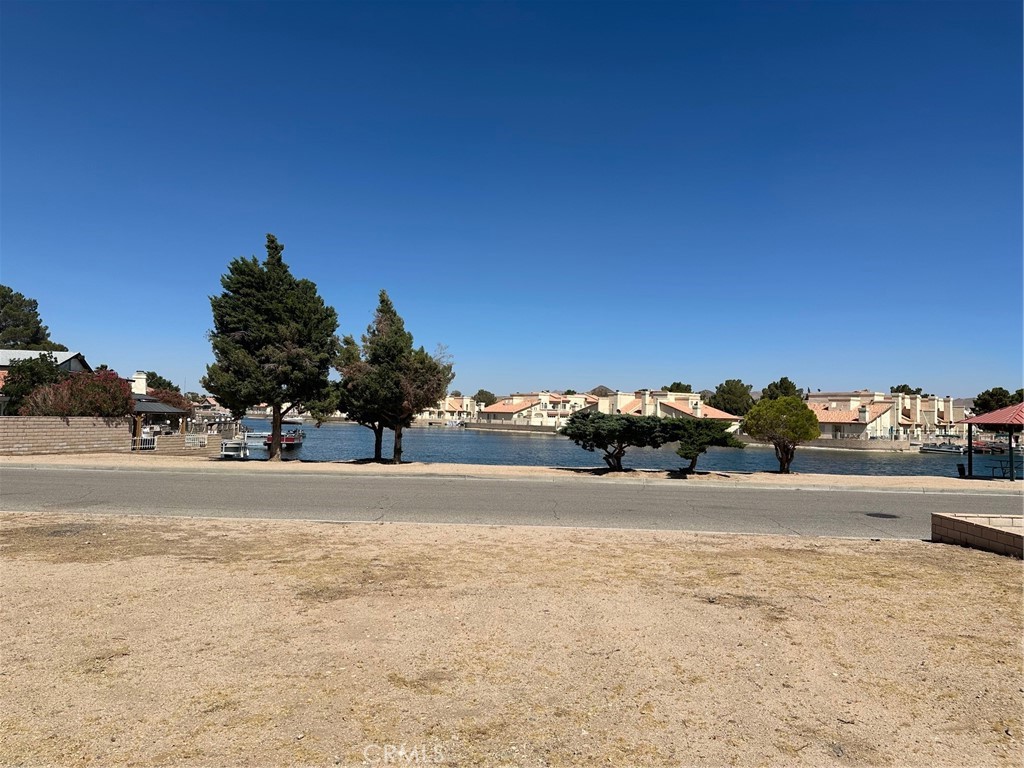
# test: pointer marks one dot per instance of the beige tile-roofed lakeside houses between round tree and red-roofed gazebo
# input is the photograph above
(867, 415)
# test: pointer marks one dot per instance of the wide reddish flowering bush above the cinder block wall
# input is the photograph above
(102, 395)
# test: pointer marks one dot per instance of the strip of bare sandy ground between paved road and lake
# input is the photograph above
(767, 481)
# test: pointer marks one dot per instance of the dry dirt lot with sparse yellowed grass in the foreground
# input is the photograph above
(145, 642)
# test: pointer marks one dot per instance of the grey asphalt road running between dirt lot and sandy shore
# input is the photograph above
(570, 502)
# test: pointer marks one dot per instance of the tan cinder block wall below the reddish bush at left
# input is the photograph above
(45, 435)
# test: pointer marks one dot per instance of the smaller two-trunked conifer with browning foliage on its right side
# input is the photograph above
(388, 382)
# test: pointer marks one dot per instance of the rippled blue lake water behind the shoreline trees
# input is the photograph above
(439, 446)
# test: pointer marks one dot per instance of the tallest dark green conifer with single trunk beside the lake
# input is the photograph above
(274, 340)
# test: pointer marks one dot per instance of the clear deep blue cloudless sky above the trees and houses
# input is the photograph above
(565, 194)
